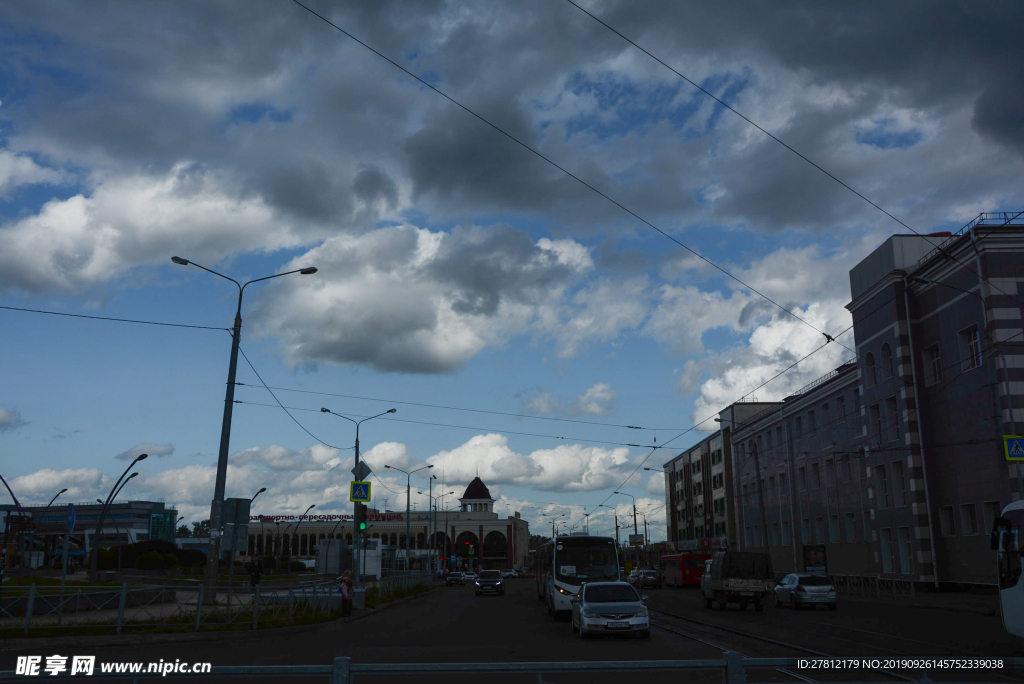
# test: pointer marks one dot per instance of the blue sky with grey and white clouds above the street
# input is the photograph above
(518, 320)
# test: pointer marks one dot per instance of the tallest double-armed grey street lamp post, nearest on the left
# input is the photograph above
(217, 506)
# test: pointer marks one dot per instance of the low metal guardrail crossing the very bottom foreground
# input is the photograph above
(734, 666)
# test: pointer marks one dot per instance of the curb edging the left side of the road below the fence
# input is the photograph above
(27, 644)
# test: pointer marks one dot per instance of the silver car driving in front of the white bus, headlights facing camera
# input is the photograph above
(610, 608)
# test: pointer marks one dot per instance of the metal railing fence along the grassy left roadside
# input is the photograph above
(124, 609)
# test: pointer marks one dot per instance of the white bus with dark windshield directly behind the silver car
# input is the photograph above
(567, 563)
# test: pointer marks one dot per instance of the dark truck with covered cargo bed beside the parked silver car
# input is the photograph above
(738, 577)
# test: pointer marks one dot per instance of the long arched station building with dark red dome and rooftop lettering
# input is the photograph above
(474, 535)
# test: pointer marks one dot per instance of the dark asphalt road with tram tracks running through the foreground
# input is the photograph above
(452, 625)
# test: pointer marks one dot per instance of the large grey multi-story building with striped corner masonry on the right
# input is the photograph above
(893, 464)
